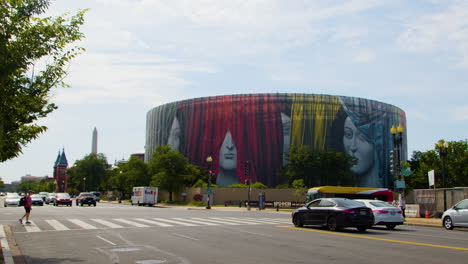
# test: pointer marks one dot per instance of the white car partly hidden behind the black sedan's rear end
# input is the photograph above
(384, 213)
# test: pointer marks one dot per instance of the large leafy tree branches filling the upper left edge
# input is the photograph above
(29, 41)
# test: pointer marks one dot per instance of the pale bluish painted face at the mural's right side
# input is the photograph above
(357, 146)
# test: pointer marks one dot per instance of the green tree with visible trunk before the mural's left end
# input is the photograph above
(168, 169)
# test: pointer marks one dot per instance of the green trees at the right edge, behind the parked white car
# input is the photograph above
(423, 162)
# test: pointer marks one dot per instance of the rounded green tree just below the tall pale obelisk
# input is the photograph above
(88, 174)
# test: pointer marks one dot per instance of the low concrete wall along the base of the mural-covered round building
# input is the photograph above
(222, 195)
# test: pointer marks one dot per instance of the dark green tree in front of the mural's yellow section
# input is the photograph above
(320, 168)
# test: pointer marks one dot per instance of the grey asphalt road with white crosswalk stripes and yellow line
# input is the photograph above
(113, 233)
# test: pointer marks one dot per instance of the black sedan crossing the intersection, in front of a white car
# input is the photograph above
(334, 213)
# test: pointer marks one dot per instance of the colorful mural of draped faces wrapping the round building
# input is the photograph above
(257, 130)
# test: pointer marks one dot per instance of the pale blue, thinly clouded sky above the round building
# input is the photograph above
(144, 53)
